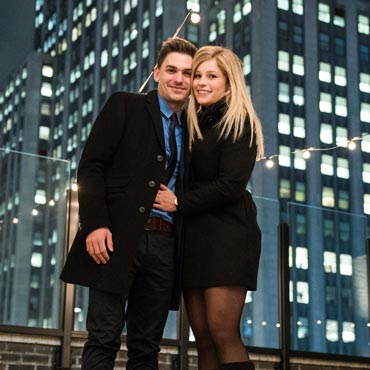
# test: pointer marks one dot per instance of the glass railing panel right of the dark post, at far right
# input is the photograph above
(328, 281)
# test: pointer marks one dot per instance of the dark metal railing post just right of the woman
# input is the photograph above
(284, 304)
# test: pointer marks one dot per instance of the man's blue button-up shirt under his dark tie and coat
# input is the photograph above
(166, 114)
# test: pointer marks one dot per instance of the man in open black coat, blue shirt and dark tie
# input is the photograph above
(125, 251)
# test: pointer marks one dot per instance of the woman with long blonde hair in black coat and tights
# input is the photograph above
(222, 237)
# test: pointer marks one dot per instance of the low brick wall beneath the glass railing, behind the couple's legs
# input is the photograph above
(35, 352)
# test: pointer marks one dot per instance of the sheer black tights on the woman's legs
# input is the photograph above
(214, 316)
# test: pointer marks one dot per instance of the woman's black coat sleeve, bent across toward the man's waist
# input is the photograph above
(237, 160)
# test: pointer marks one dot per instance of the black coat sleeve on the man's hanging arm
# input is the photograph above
(99, 150)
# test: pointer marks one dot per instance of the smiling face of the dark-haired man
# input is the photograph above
(173, 78)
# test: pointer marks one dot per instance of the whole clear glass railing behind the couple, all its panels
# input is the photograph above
(328, 265)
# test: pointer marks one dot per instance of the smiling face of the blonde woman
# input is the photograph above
(209, 84)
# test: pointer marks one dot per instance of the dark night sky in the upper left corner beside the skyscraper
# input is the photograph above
(16, 34)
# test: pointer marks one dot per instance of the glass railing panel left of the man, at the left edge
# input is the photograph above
(33, 206)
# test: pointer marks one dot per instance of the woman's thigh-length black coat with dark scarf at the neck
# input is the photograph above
(222, 237)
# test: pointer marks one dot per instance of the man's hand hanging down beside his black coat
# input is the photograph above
(97, 243)
